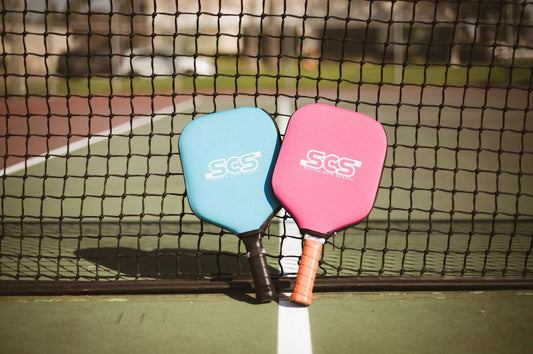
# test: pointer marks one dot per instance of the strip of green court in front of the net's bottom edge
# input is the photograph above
(424, 322)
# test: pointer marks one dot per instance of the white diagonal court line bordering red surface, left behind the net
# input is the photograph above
(101, 136)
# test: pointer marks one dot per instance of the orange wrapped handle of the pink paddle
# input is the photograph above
(305, 280)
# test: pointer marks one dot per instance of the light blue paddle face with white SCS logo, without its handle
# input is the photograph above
(227, 159)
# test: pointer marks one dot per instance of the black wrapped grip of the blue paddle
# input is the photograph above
(264, 287)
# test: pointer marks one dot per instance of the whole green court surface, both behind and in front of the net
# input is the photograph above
(122, 214)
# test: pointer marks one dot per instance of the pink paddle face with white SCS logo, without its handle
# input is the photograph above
(329, 167)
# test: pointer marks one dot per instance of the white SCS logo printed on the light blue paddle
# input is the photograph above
(234, 165)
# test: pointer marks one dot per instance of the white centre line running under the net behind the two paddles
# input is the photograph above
(294, 330)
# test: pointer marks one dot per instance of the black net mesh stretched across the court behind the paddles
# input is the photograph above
(95, 94)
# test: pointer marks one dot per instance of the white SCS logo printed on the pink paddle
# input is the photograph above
(332, 164)
